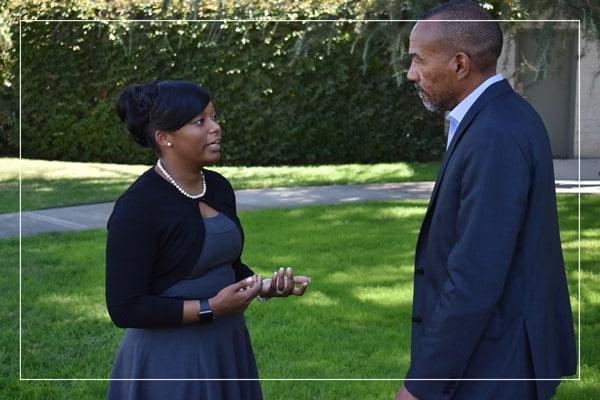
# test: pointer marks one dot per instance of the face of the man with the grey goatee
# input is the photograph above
(431, 68)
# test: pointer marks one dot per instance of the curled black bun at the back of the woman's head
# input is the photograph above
(134, 107)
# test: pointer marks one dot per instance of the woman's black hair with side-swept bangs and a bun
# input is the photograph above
(159, 105)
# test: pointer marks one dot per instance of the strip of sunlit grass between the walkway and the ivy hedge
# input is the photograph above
(49, 184)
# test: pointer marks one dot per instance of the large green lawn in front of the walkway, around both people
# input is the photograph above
(353, 323)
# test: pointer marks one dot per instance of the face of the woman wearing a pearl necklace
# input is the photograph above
(199, 141)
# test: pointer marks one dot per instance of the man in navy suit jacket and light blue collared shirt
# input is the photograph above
(490, 291)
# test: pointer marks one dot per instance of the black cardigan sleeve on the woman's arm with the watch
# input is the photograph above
(130, 252)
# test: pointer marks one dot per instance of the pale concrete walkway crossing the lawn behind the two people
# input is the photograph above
(94, 216)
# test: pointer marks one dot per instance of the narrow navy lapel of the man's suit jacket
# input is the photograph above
(494, 90)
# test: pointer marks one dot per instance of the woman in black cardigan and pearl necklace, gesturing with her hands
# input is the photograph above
(174, 276)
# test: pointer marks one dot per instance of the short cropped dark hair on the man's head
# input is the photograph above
(481, 40)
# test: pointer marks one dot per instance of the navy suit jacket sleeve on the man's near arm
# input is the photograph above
(493, 201)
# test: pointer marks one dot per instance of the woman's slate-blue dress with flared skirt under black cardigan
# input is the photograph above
(198, 361)
